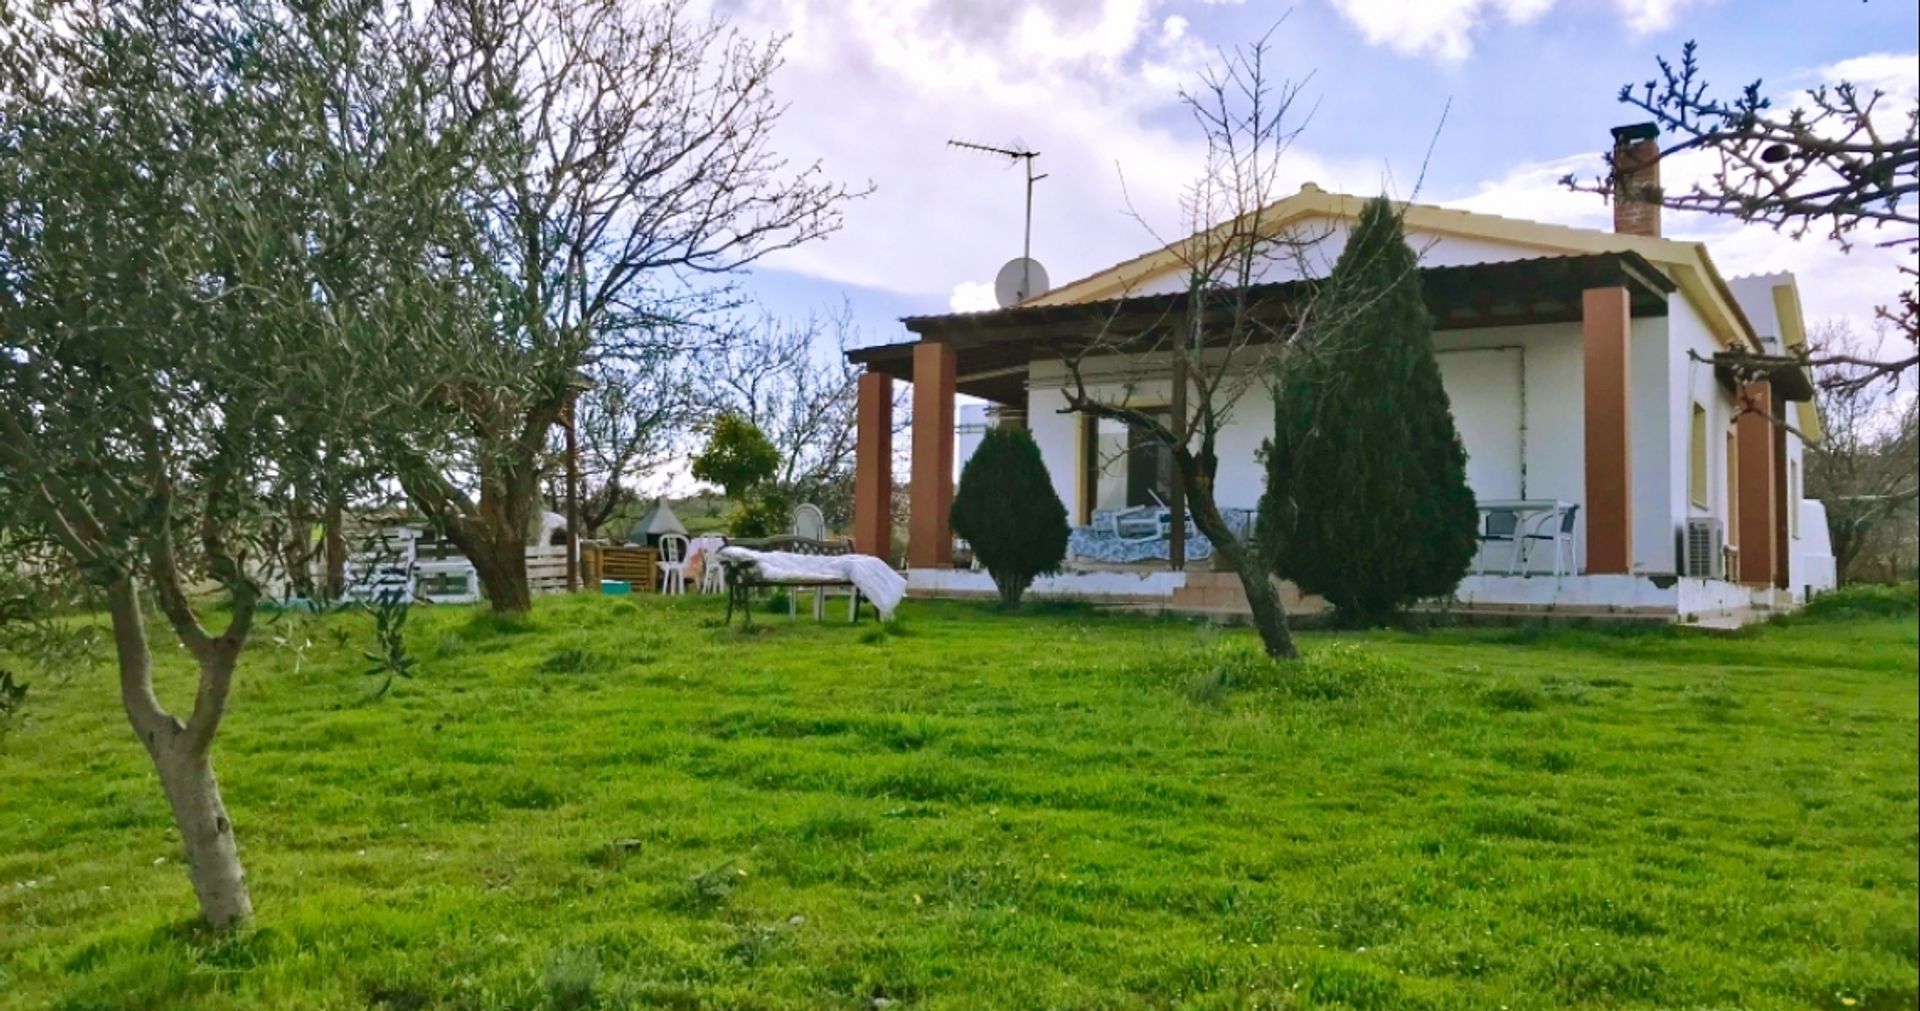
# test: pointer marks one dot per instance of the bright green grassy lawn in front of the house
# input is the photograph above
(621, 805)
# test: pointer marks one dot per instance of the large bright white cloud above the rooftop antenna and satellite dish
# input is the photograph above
(876, 89)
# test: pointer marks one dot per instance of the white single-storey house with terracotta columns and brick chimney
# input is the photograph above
(1616, 379)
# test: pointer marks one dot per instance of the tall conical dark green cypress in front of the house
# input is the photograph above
(1368, 498)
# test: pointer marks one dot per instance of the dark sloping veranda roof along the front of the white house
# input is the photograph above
(996, 348)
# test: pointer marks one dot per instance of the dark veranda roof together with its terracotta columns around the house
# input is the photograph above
(990, 356)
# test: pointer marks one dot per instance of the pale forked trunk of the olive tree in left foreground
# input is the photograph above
(181, 757)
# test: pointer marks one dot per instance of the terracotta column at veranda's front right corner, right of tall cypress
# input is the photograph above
(1606, 331)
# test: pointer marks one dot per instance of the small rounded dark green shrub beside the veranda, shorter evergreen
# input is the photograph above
(1009, 511)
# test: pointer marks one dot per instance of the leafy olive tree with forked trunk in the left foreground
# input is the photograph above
(166, 176)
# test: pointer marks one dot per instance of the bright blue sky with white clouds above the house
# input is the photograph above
(1527, 93)
